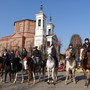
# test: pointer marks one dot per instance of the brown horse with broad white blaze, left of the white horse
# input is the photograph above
(33, 68)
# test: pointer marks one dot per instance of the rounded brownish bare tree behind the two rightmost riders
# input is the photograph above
(76, 41)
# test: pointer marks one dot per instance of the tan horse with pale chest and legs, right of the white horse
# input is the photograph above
(70, 66)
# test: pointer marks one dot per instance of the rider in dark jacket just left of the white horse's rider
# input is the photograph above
(36, 55)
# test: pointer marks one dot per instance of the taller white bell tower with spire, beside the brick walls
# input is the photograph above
(40, 31)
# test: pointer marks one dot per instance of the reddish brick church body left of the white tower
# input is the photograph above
(24, 32)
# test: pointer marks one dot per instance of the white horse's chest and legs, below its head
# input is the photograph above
(50, 64)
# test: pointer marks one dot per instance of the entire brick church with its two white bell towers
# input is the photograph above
(29, 33)
